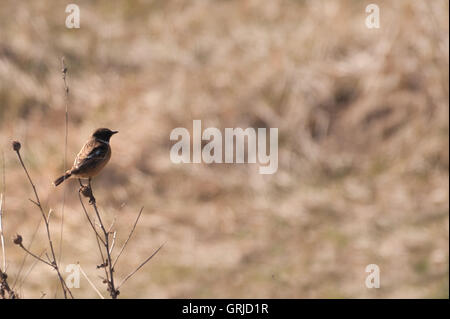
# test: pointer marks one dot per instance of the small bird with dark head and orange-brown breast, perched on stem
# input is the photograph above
(91, 159)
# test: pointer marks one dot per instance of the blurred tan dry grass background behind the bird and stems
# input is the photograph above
(362, 114)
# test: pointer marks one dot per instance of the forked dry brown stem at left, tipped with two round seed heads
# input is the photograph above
(53, 263)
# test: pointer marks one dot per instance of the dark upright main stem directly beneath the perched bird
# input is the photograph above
(87, 191)
